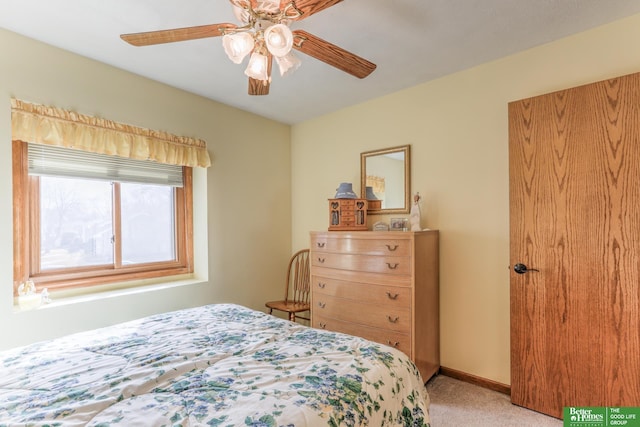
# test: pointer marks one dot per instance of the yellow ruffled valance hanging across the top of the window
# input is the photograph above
(42, 124)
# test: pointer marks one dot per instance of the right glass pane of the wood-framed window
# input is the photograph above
(148, 231)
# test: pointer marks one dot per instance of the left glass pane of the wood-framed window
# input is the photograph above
(75, 223)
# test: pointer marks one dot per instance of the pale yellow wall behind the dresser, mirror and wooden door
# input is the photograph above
(458, 130)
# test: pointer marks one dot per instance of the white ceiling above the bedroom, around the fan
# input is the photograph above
(411, 41)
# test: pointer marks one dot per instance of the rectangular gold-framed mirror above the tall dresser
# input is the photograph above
(388, 173)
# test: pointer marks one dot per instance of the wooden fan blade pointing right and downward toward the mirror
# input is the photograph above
(332, 54)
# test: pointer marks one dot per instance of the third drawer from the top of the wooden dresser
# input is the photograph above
(362, 292)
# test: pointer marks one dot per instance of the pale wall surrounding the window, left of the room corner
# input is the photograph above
(242, 204)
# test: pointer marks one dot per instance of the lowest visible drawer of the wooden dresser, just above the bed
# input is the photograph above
(401, 341)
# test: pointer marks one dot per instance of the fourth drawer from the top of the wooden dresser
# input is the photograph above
(379, 316)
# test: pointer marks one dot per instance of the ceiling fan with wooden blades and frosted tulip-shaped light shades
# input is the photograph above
(265, 34)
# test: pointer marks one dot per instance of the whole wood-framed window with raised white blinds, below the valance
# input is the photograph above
(83, 219)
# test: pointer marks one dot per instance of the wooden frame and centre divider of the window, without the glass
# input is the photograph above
(26, 224)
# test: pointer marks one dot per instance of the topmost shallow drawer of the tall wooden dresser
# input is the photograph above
(390, 246)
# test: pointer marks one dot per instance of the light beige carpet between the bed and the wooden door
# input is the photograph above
(456, 403)
